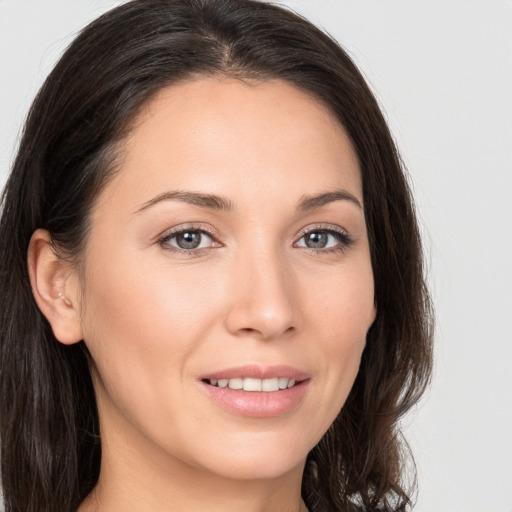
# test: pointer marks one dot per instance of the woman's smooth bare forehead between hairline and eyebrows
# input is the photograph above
(249, 141)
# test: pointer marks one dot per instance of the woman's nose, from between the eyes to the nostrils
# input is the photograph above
(262, 297)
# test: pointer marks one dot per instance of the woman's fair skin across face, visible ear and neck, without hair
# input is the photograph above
(269, 284)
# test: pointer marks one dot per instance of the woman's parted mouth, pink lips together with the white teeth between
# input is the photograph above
(257, 391)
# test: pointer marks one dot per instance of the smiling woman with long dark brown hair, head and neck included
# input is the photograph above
(212, 291)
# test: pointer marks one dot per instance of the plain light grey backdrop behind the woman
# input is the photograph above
(442, 71)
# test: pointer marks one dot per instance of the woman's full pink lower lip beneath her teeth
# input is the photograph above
(258, 404)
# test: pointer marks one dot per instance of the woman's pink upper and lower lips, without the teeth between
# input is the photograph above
(258, 404)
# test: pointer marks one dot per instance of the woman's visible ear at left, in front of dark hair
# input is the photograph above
(55, 287)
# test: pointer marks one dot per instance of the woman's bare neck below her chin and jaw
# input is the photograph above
(139, 476)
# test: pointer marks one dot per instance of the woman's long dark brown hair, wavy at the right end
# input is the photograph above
(50, 439)
